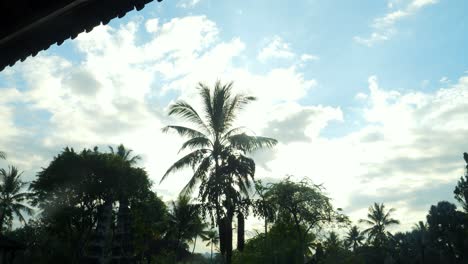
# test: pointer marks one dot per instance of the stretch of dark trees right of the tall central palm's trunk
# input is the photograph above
(441, 239)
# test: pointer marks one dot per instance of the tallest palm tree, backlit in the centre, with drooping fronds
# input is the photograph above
(217, 153)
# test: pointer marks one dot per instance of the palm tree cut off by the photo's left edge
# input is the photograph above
(12, 197)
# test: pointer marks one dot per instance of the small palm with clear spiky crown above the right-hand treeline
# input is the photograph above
(379, 220)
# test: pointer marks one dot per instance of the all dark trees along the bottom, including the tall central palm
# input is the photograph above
(95, 206)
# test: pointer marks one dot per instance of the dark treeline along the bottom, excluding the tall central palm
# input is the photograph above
(300, 223)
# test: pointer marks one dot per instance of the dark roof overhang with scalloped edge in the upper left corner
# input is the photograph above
(29, 26)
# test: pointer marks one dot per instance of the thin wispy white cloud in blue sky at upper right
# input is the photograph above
(384, 27)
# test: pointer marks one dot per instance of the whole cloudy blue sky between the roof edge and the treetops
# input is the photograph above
(368, 99)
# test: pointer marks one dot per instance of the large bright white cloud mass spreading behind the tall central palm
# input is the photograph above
(120, 88)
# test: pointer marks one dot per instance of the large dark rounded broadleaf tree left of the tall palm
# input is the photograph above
(75, 193)
